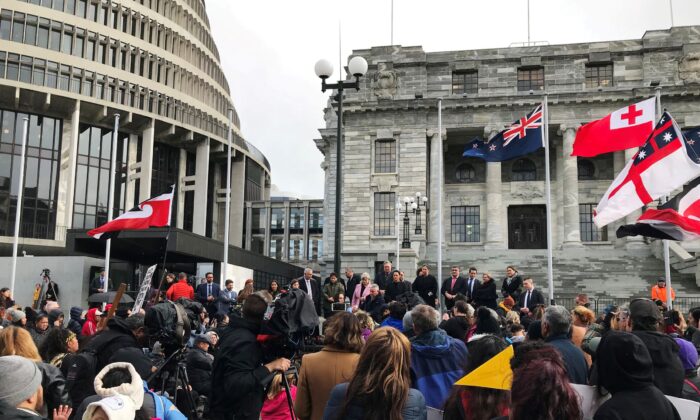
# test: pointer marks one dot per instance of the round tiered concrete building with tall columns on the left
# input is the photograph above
(71, 65)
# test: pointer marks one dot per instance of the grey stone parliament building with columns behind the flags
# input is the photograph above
(494, 213)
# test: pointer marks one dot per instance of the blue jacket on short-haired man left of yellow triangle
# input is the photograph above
(437, 362)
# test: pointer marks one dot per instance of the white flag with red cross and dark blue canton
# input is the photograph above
(664, 163)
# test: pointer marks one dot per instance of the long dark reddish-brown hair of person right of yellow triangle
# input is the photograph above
(541, 389)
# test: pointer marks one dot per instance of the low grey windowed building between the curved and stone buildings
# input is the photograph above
(286, 229)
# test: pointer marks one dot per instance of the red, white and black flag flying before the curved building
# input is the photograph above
(153, 212)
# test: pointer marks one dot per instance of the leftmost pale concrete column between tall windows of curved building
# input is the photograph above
(66, 180)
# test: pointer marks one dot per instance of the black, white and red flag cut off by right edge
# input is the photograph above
(678, 219)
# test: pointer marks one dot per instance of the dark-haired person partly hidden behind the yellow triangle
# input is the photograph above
(484, 403)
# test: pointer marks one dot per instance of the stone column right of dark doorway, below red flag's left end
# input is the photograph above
(572, 227)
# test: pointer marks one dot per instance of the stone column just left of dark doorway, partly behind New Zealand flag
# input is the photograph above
(494, 203)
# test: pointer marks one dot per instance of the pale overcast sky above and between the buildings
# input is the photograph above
(268, 50)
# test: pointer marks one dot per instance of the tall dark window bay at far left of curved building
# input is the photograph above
(41, 174)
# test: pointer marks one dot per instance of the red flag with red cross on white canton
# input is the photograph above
(623, 129)
